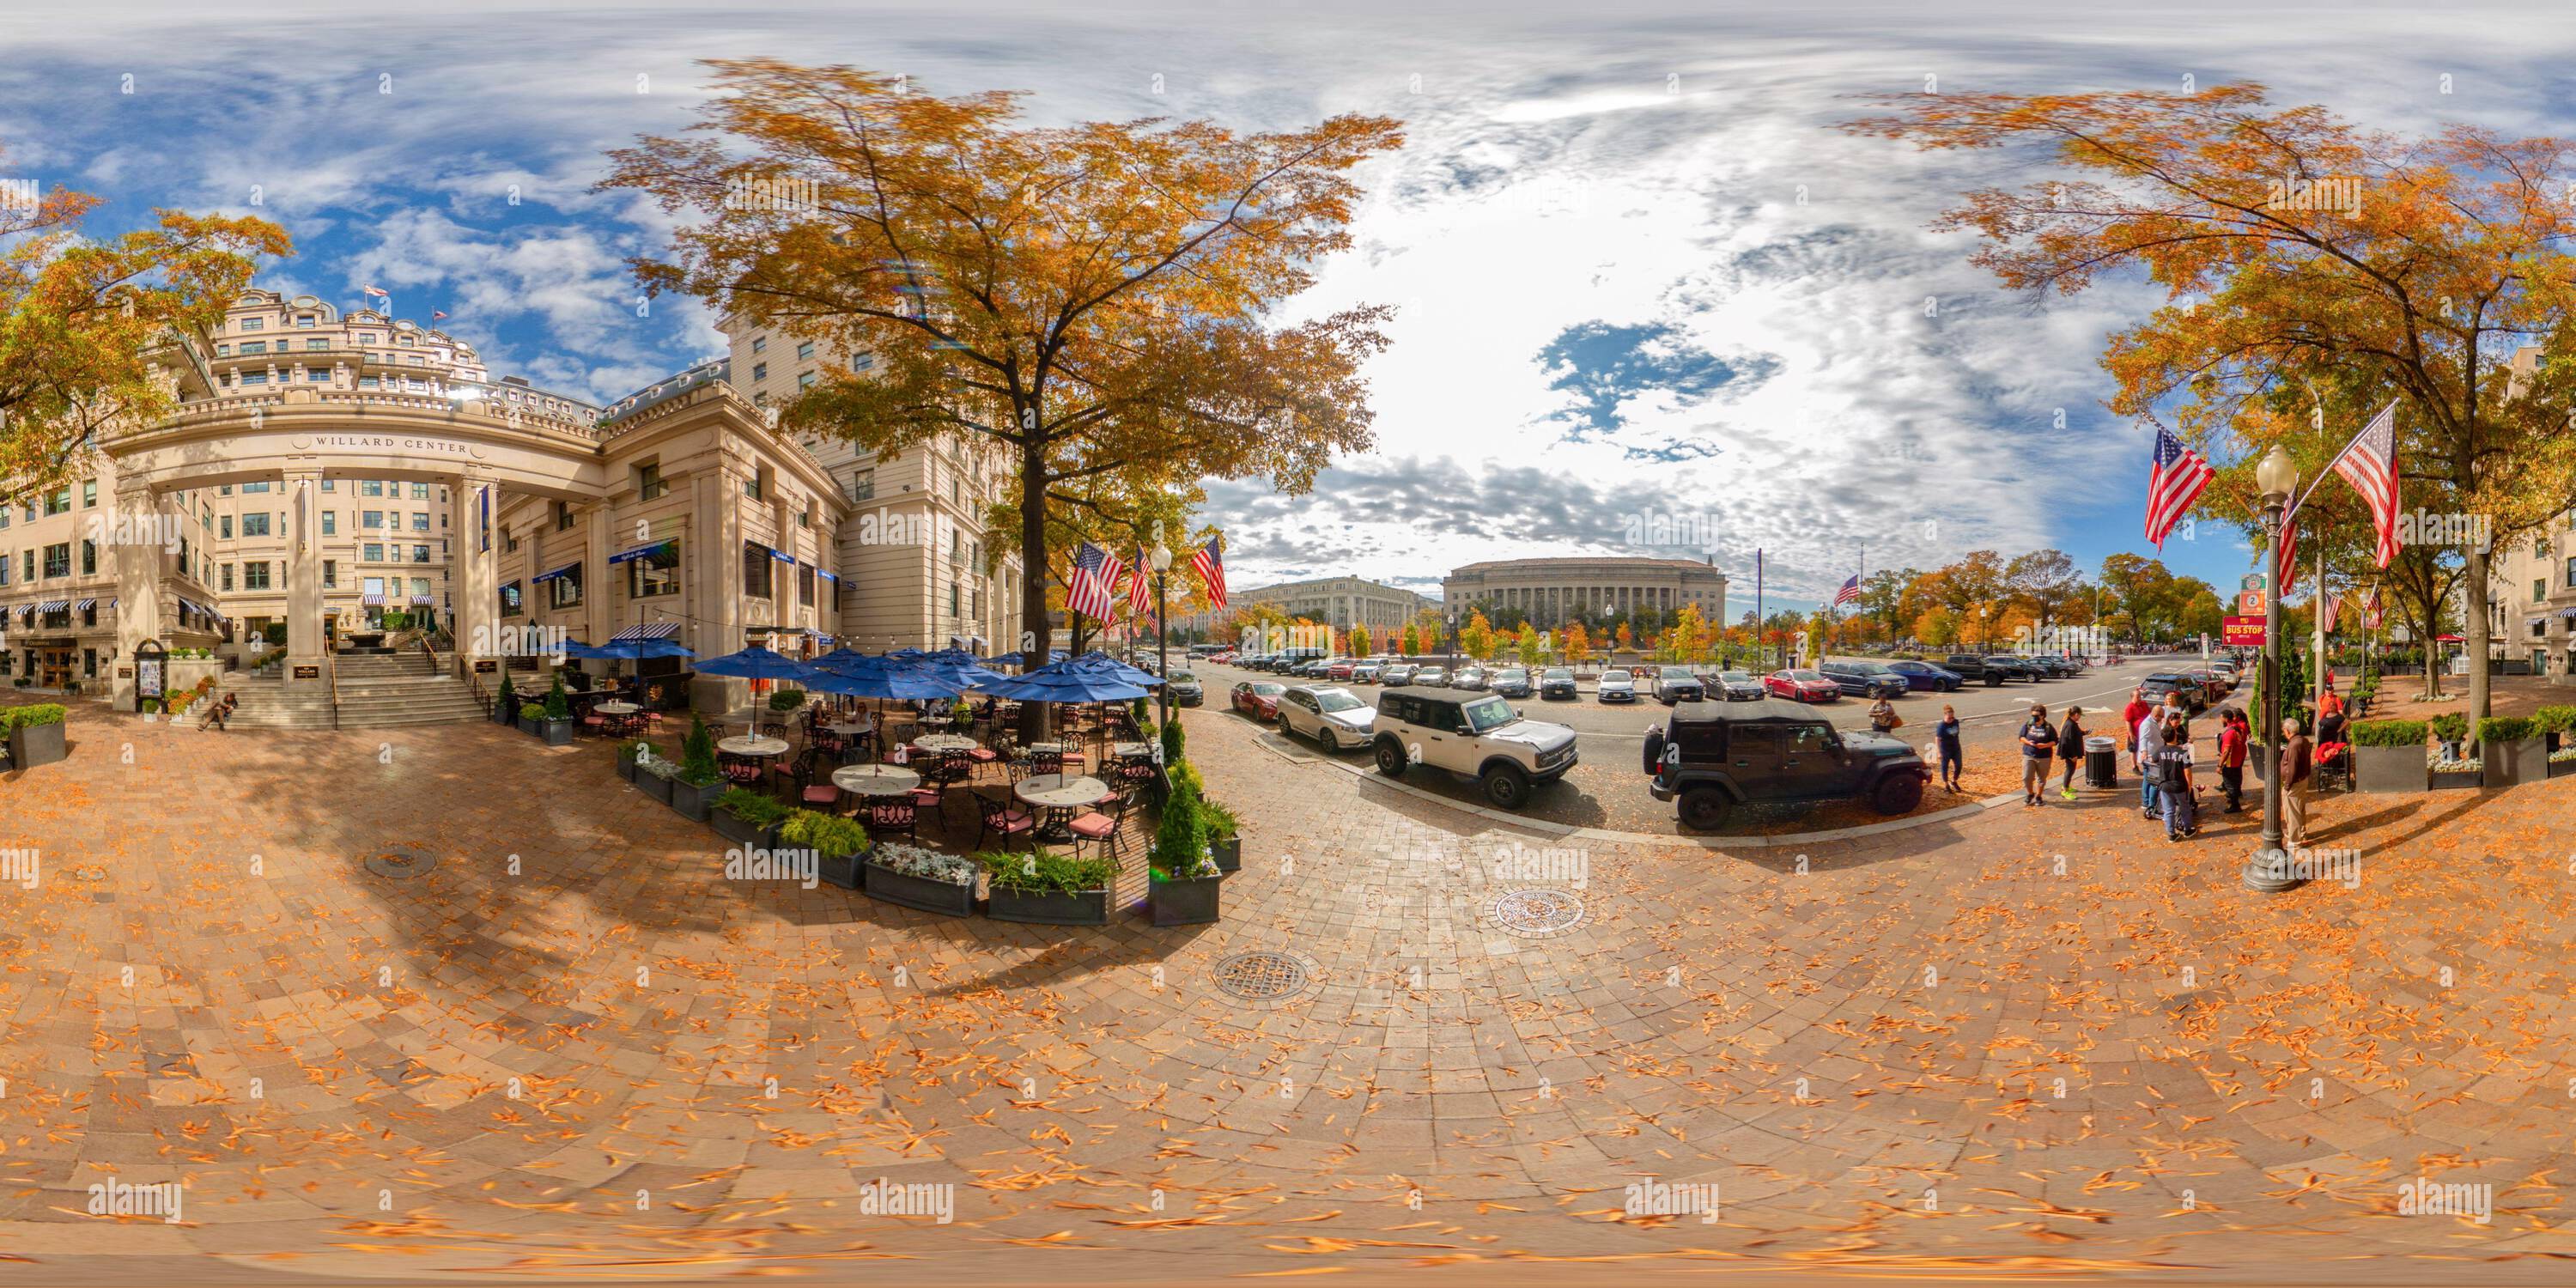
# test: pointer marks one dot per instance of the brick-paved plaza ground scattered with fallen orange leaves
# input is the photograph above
(2041, 1045)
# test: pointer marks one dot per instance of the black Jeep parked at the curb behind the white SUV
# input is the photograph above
(1722, 756)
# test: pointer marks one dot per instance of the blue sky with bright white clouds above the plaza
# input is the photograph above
(1640, 272)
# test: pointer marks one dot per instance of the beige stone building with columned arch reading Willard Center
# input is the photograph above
(326, 470)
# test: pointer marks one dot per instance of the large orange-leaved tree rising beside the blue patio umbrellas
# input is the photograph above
(1096, 298)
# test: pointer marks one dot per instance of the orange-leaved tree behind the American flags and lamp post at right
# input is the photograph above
(2302, 249)
